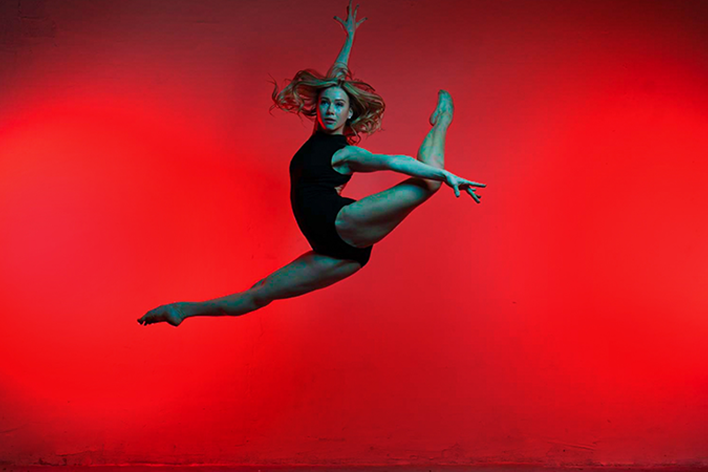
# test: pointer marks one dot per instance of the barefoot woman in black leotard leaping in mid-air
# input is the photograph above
(340, 230)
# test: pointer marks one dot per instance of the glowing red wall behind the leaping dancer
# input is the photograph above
(561, 322)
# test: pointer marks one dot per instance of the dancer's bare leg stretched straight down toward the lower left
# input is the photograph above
(309, 272)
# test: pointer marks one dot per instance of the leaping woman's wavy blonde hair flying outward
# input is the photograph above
(301, 94)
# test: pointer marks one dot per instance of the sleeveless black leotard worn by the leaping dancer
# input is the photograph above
(314, 200)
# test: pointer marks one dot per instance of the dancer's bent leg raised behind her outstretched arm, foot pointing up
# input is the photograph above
(370, 219)
